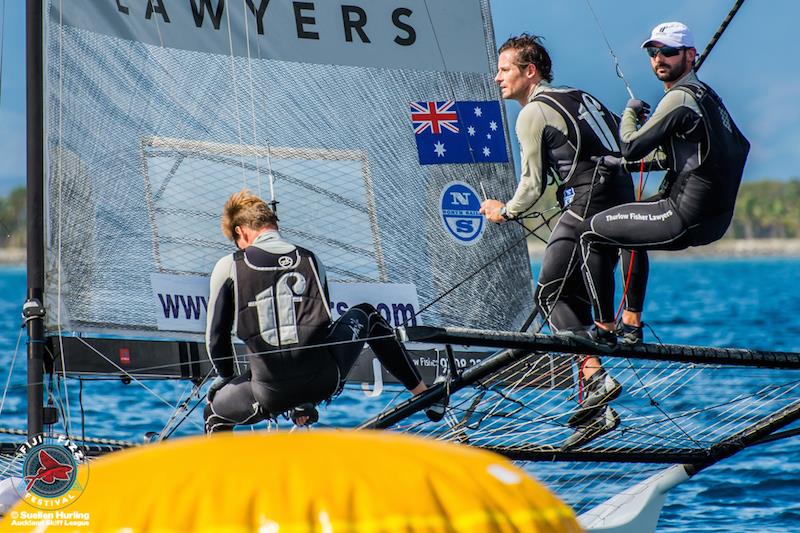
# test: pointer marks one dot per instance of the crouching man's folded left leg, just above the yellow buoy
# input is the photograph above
(234, 404)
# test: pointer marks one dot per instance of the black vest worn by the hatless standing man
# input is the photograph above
(592, 130)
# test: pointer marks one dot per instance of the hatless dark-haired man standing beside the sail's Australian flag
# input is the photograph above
(560, 131)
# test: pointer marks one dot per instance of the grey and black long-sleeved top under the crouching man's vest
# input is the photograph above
(222, 304)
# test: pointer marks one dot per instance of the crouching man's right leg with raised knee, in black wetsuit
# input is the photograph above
(362, 323)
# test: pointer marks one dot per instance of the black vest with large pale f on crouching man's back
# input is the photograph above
(280, 304)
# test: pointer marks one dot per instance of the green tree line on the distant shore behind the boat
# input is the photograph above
(765, 209)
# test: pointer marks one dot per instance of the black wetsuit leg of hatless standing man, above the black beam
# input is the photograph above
(560, 293)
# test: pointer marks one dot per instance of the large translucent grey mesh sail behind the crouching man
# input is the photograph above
(149, 132)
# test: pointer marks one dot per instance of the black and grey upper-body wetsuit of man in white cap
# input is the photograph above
(705, 151)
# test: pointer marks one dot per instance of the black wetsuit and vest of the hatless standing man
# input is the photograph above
(571, 125)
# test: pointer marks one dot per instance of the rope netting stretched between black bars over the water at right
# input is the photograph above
(670, 413)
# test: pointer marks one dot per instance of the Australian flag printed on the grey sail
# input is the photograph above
(459, 132)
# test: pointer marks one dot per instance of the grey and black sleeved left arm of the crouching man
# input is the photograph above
(220, 317)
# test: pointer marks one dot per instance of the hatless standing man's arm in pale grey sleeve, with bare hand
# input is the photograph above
(530, 129)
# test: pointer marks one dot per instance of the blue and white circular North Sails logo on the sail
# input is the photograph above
(459, 205)
